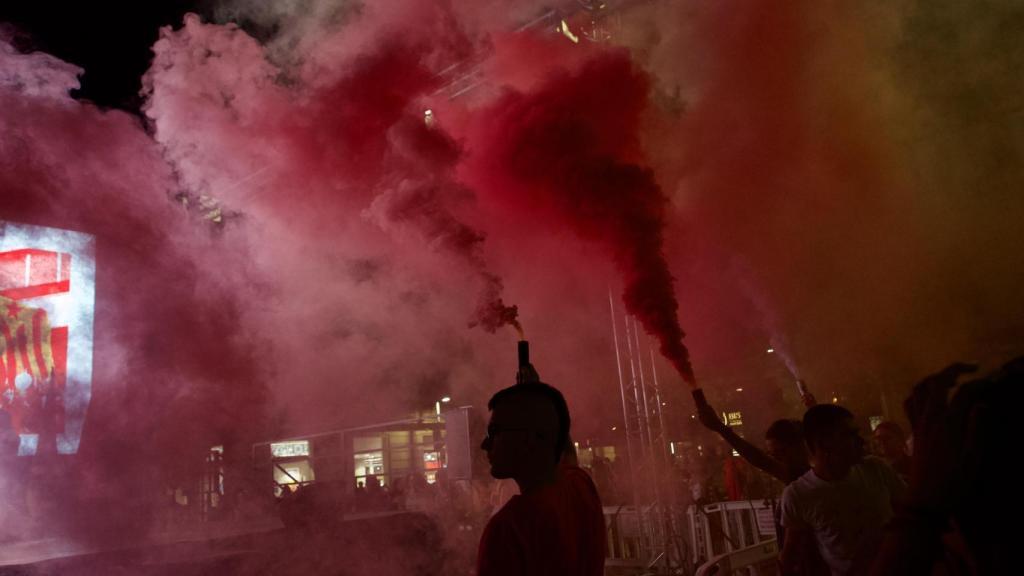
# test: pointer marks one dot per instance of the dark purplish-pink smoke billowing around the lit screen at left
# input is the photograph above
(166, 328)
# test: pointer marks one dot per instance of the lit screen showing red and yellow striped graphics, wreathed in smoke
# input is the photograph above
(48, 300)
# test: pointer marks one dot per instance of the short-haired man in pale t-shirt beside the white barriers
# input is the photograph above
(842, 504)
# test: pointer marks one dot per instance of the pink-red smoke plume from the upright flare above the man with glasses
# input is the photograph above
(350, 140)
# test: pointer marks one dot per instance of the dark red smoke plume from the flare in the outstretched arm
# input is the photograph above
(571, 148)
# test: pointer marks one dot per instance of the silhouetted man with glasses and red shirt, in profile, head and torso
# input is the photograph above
(556, 525)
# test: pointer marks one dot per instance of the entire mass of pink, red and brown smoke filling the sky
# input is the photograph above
(286, 246)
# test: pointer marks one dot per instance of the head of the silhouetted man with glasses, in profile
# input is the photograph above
(528, 434)
